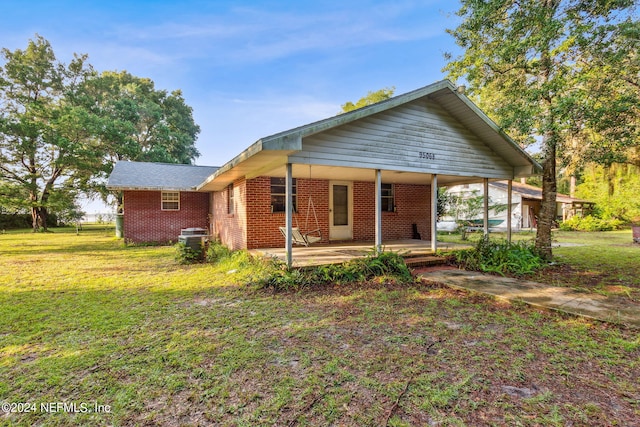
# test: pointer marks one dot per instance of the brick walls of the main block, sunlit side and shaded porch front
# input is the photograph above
(253, 210)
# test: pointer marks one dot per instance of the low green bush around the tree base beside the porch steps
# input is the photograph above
(501, 257)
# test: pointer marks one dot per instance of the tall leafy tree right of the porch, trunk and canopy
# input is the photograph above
(520, 59)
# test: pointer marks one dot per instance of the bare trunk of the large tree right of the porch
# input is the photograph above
(549, 189)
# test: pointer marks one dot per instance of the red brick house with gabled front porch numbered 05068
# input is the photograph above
(363, 175)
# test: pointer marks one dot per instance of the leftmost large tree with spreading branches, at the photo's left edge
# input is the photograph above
(44, 137)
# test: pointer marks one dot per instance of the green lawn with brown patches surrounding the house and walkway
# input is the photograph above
(85, 320)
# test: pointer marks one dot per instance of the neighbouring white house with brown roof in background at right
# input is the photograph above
(525, 203)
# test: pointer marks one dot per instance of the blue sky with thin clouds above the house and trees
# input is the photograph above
(248, 68)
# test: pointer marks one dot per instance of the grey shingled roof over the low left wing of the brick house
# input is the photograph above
(157, 176)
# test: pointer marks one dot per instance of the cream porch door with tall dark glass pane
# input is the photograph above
(340, 210)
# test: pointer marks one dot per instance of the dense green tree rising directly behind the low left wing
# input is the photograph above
(139, 122)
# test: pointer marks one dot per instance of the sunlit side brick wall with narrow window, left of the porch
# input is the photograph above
(230, 228)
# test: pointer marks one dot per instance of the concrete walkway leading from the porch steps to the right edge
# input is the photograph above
(607, 309)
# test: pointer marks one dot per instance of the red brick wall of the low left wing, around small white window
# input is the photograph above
(145, 221)
